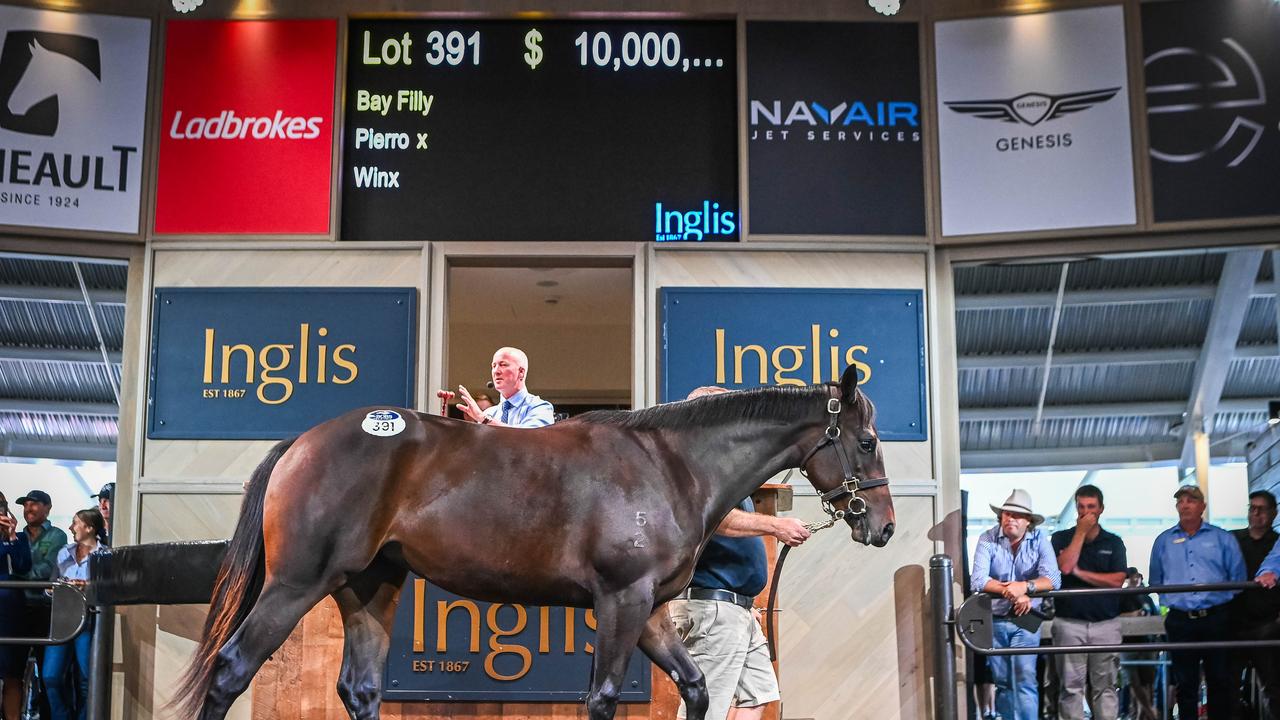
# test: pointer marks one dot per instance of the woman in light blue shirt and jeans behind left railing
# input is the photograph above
(74, 568)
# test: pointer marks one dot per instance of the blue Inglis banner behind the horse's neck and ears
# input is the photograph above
(755, 338)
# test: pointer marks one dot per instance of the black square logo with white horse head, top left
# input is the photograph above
(38, 70)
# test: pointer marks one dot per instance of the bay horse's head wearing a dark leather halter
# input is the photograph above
(847, 466)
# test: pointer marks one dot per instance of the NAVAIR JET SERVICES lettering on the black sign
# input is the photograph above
(857, 121)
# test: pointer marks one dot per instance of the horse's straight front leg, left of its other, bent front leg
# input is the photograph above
(620, 619)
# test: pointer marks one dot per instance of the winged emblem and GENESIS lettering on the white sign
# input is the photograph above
(1032, 110)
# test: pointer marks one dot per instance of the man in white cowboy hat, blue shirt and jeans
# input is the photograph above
(1016, 559)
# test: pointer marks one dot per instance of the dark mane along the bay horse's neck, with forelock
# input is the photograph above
(779, 404)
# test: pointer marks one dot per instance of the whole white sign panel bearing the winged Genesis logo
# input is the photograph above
(1034, 122)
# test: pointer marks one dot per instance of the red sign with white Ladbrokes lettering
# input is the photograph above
(246, 134)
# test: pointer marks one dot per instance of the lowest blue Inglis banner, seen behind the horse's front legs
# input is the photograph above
(449, 648)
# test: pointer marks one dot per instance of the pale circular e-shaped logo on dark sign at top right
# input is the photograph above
(1212, 85)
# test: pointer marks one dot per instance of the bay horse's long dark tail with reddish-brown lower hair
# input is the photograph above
(240, 581)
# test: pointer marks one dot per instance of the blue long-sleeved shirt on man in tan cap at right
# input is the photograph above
(1209, 557)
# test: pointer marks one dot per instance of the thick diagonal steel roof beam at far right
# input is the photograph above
(1231, 304)
